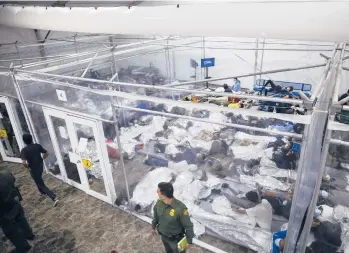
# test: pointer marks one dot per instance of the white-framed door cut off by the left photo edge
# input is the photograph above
(10, 132)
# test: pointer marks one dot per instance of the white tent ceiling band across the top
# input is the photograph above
(299, 20)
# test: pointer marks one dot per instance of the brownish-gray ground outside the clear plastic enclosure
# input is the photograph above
(83, 224)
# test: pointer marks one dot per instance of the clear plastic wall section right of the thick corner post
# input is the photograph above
(330, 227)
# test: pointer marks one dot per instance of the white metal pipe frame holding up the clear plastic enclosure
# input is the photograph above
(314, 143)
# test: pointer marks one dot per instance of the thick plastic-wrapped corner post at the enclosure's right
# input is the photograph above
(309, 176)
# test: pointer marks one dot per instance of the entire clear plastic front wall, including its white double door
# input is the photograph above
(220, 161)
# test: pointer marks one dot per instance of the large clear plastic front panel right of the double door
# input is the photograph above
(215, 168)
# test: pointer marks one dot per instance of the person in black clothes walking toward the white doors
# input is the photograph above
(32, 160)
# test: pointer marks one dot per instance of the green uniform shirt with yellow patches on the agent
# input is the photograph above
(171, 220)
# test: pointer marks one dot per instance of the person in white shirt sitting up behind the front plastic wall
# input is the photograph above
(262, 212)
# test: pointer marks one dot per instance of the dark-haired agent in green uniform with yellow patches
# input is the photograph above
(171, 219)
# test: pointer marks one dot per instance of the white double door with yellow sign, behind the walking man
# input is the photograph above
(80, 148)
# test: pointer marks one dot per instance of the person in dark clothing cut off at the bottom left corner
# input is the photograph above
(12, 219)
